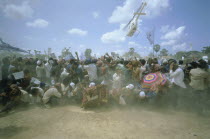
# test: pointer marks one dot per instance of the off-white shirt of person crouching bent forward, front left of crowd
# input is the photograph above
(49, 93)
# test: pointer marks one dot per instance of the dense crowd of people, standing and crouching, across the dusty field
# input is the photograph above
(105, 80)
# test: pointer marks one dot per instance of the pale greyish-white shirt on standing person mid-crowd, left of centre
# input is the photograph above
(92, 71)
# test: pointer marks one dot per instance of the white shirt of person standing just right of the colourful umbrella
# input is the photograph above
(177, 77)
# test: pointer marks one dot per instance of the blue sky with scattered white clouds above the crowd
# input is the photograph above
(97, 24)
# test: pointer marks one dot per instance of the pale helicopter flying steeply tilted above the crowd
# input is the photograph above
(133, 23)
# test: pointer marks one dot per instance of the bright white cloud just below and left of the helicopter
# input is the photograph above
(116, 36)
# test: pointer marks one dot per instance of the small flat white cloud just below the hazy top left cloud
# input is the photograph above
(38, 23)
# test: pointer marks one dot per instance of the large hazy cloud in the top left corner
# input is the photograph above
(18, 11)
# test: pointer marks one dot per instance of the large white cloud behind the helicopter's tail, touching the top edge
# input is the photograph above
(124, 13)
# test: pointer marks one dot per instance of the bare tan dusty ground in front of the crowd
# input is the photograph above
(71, 122)
